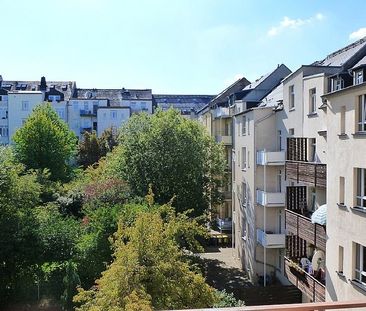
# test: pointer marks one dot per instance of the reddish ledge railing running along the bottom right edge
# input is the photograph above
(313, 306)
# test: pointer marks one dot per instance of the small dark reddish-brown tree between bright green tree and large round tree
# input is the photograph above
(88, 149)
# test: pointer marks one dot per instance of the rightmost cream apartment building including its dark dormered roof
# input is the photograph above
(346, 186)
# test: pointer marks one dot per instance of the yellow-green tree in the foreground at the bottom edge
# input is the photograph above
(148, 271)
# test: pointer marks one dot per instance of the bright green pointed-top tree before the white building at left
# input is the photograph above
(45, 142)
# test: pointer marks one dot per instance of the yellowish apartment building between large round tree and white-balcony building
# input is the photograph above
(217, 119)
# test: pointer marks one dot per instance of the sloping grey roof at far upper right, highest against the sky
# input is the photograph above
(342, 56)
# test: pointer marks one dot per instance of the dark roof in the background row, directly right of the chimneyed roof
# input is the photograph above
(115, 96)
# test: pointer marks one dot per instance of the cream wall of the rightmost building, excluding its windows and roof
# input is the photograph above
(344, 224)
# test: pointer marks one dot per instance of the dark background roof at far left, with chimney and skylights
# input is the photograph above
(65, 87)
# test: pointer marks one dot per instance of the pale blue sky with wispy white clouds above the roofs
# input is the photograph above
(170, 46)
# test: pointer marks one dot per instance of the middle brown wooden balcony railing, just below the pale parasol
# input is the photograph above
(302, 227)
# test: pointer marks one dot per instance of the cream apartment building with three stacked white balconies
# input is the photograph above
(258, 180)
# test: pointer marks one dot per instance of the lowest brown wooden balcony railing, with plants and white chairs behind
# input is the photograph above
(310, 286)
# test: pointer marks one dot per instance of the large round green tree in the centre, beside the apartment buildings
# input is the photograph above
(173, 154)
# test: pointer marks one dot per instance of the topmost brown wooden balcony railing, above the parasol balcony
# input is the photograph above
(313, 174)
